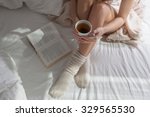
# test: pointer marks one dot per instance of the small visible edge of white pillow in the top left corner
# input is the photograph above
(11, 4)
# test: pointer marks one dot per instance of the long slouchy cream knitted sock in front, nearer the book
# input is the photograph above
(63, 82)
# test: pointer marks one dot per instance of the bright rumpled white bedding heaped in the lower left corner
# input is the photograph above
(10, 82)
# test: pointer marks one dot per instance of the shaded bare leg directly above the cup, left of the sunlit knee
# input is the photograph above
(83, 8)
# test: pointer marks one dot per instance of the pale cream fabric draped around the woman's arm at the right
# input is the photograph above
(130, 32)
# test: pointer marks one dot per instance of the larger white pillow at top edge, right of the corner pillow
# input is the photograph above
(51, 7)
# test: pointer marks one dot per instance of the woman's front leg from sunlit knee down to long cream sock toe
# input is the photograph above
(79, 57)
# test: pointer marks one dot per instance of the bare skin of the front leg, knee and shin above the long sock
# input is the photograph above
(100, 14)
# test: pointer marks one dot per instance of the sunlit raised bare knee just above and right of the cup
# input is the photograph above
(101, 14)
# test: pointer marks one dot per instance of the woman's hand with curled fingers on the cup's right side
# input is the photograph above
(99, 32)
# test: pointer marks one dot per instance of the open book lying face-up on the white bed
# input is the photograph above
(49, 44)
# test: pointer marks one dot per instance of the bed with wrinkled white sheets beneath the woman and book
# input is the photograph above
(117, 71)
